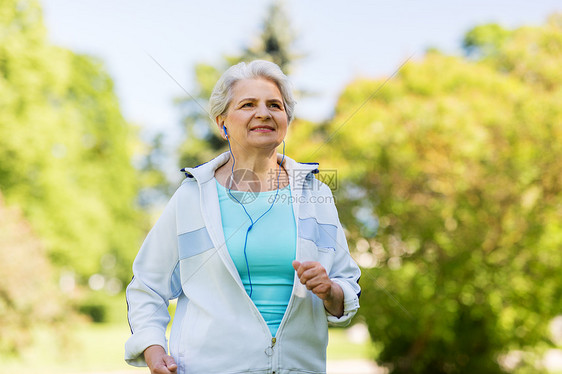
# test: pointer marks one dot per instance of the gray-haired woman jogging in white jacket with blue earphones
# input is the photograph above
(258, 280)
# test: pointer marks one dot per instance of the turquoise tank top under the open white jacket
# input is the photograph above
(270, 249)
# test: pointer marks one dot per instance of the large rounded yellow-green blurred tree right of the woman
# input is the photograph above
(459, 161)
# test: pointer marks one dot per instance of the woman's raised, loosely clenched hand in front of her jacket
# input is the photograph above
(313, 275)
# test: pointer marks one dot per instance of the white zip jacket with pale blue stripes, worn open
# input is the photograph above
(217, 328)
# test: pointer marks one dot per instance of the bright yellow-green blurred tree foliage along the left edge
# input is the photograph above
(65, 149)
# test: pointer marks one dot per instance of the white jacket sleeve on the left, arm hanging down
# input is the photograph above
(155, 281)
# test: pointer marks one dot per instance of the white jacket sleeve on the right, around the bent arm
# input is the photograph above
(346, 274)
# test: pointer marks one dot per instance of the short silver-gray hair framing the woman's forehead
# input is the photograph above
(222, 93)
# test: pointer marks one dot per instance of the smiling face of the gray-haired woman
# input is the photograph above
(256, 117)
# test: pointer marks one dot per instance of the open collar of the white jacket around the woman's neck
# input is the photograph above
(298, 171)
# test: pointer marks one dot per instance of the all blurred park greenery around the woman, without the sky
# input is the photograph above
(449, 178)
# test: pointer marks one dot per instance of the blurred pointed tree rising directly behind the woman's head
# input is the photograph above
(274, 44)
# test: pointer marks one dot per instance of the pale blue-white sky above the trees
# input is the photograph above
(150, 47)
